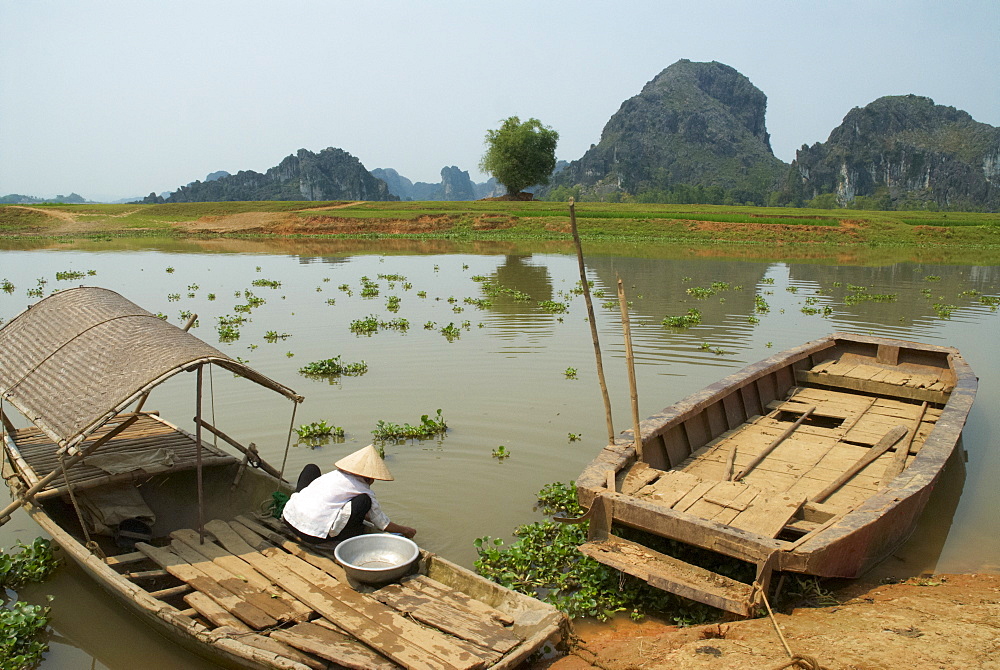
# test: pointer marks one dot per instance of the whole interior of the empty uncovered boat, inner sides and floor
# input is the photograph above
(787, 452)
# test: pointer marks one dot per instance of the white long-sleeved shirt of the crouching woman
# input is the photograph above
(323, 508)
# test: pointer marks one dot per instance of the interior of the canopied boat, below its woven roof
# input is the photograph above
(247, 577)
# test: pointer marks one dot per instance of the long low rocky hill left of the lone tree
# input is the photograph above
(332, 174)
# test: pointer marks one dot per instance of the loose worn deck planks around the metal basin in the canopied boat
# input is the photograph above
(252, 580)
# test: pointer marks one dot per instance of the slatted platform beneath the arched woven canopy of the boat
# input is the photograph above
(151, 443)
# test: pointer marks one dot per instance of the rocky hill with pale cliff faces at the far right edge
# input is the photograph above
(903, 152)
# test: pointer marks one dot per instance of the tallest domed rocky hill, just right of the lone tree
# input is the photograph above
(694, 124)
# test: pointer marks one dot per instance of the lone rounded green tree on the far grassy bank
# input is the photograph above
(519, 154)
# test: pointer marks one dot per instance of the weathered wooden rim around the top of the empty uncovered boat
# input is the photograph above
(919, 475)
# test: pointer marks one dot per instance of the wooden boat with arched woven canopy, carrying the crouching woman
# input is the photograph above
(189, 555)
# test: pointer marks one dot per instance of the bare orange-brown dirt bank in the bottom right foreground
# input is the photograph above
(945, 621)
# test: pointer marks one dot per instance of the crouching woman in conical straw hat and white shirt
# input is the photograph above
(334, 506)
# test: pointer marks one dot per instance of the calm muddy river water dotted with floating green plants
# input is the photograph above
(503, 380)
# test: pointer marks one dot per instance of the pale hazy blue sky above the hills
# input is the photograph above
(117, 99)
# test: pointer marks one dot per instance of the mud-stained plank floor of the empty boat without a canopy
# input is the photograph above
(843, 427)
